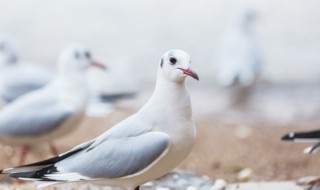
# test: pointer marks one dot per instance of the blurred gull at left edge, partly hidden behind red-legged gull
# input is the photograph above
(16, 77)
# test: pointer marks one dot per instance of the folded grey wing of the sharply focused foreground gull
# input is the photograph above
(114, 158)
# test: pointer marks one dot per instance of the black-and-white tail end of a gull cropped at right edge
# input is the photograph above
(308, 136)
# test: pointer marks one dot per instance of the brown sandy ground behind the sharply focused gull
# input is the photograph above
(218, 152)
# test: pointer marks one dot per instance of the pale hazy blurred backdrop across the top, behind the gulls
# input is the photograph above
(134, 34)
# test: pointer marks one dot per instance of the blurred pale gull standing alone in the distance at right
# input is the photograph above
(238, 58)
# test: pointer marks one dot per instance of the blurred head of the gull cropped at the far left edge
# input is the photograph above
(8, 53)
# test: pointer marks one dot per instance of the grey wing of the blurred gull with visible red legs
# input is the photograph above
(32, 118)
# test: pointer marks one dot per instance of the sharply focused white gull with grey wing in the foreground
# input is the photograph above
(142, 147)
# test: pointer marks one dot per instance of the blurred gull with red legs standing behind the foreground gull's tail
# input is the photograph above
(52, 111)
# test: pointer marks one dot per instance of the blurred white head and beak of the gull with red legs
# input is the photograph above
(77, 58)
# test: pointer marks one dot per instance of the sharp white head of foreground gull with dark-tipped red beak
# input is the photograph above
(175, 66)
